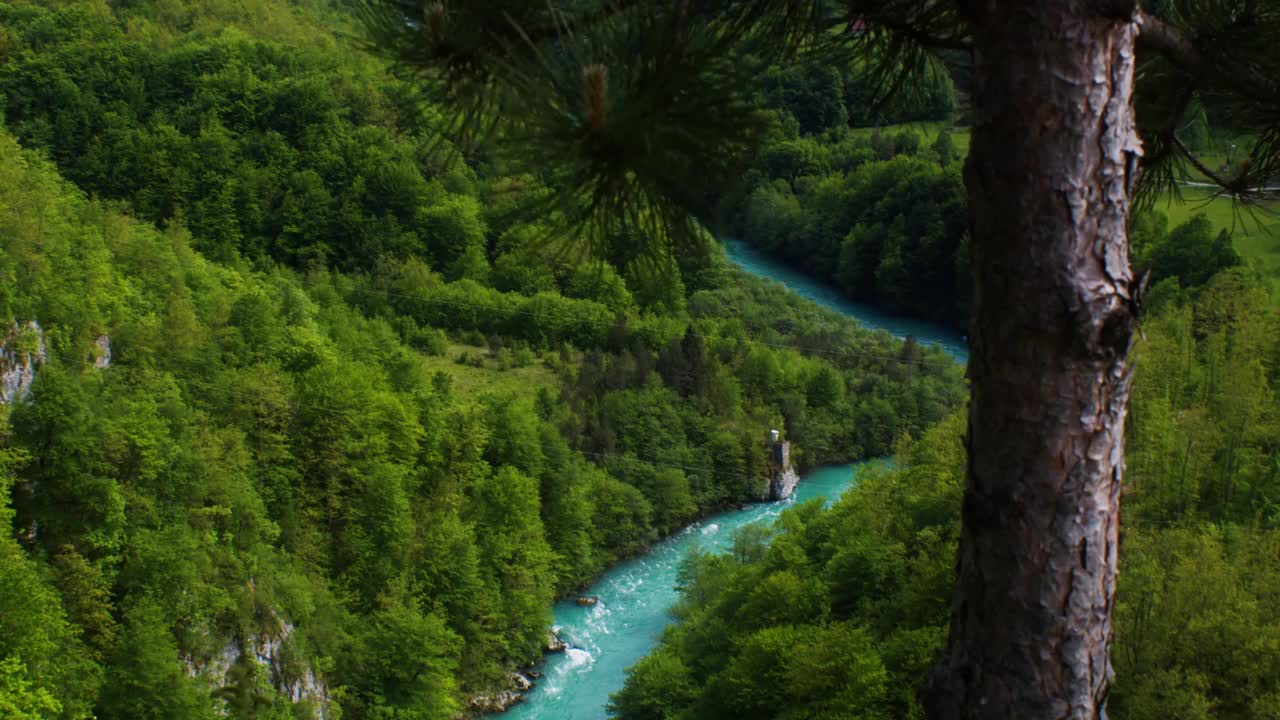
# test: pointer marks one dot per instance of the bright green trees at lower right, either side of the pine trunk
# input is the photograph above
(839, 614)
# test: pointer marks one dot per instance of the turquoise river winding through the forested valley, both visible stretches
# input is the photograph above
(636, 596)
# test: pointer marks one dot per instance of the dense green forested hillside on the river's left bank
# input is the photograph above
(304, 420)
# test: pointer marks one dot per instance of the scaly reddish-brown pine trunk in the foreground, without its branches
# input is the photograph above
(1050, 175)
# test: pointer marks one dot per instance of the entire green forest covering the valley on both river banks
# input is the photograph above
(304, 418)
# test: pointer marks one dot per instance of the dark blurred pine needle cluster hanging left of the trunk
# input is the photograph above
(633, 111)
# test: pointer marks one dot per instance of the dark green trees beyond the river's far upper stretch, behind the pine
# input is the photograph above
(881, 213)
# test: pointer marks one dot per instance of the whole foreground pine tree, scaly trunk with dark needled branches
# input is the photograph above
(638, 108)
